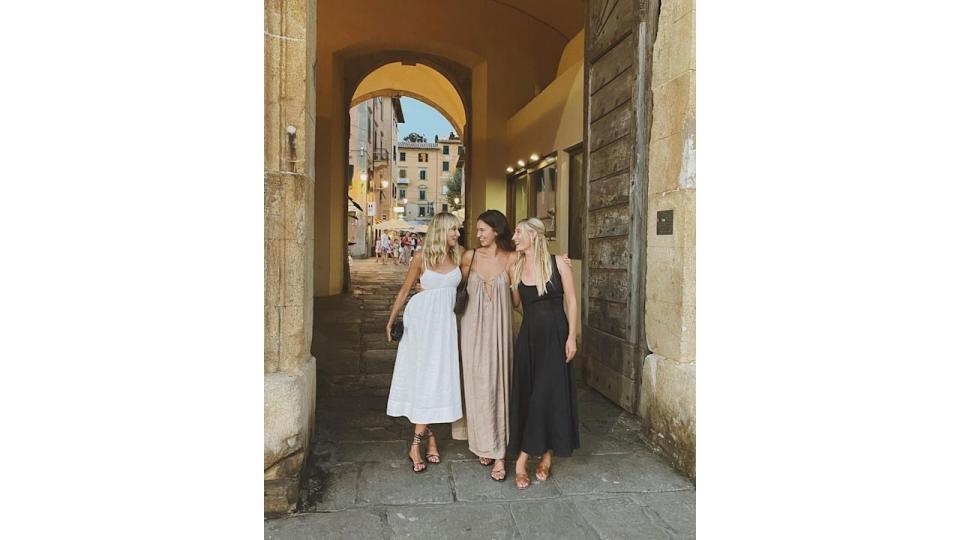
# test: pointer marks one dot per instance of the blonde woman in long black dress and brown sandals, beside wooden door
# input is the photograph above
(543, 397)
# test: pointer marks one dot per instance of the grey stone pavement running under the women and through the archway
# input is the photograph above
(359, 483)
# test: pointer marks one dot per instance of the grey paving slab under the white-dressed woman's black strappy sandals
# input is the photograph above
(395, 483)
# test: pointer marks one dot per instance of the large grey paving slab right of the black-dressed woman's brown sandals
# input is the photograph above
(628, 473)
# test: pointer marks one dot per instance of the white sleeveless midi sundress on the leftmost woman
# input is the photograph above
(426, 375)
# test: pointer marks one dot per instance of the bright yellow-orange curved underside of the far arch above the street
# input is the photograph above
(420, 82)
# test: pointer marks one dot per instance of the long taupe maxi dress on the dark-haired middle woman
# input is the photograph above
(486, 349)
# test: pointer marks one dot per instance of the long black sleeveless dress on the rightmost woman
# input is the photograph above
(543, 393)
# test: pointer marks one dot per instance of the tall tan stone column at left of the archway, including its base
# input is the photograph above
(289, 127)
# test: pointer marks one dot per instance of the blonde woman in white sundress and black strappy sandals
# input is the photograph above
(426, 375)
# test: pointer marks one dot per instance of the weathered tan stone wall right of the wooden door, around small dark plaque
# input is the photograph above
(667, 396)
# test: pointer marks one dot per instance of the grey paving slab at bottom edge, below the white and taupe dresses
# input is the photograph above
(454, 521)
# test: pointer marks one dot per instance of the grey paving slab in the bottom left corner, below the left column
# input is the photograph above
(335, 526)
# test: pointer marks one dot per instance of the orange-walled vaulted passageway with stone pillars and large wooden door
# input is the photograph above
(587, 106)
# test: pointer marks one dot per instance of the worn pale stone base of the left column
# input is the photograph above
(289, 409)
